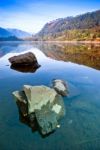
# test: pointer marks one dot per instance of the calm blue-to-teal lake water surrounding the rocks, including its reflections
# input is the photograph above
(79, 66)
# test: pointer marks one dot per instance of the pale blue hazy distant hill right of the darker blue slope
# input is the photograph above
(19, 33)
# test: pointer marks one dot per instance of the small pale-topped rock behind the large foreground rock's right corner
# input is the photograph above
(61, 87)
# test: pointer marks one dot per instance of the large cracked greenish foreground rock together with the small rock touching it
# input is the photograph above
(43, 104)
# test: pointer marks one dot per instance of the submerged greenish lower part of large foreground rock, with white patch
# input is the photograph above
(50, 114)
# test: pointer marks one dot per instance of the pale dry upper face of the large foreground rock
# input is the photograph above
(38, 96)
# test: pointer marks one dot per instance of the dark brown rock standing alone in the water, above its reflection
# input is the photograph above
(24, 59)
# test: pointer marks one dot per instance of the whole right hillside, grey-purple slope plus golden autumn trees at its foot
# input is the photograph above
(87, 25)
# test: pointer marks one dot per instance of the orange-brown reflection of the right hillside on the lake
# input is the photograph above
(88, 55)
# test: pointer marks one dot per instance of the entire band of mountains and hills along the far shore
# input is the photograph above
(79, 28)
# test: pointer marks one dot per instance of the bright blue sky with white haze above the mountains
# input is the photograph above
(31, 15)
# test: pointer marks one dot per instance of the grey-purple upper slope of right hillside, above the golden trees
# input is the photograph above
(86, 21)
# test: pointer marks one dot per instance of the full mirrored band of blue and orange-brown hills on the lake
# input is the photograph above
(85, 54)
